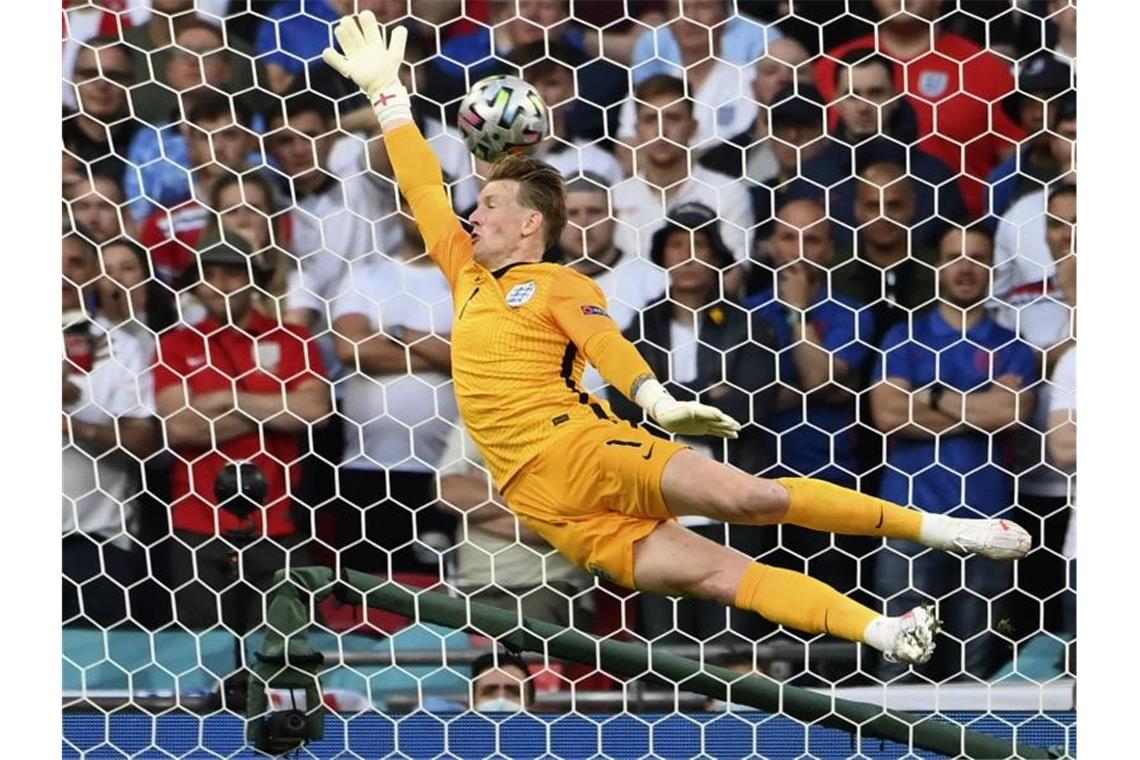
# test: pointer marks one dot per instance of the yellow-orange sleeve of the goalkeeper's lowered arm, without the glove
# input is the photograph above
(579, 307)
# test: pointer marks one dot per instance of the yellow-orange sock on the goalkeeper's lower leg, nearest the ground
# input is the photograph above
(803, 603)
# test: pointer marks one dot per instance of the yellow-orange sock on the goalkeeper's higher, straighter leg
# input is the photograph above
(824, 506)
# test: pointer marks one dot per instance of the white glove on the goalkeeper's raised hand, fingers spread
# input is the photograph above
(372, 64)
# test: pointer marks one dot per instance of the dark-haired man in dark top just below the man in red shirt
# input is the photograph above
(867, 99)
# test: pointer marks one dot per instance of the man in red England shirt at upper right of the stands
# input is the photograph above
(963, 107)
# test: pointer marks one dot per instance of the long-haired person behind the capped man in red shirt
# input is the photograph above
(247, 205)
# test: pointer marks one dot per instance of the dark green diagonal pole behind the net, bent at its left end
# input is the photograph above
(287, 641)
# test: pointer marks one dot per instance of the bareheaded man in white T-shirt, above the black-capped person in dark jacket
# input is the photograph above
(664, 181)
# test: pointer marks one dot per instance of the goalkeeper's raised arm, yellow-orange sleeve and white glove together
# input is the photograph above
(374, 67)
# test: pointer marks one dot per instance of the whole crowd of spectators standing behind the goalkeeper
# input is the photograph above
(865, 252)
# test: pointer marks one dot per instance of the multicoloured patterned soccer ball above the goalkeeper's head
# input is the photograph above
(502, 115)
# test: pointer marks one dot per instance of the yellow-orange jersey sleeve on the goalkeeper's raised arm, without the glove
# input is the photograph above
(421, 181)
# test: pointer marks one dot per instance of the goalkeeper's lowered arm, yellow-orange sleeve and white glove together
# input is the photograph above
(579, 306)
